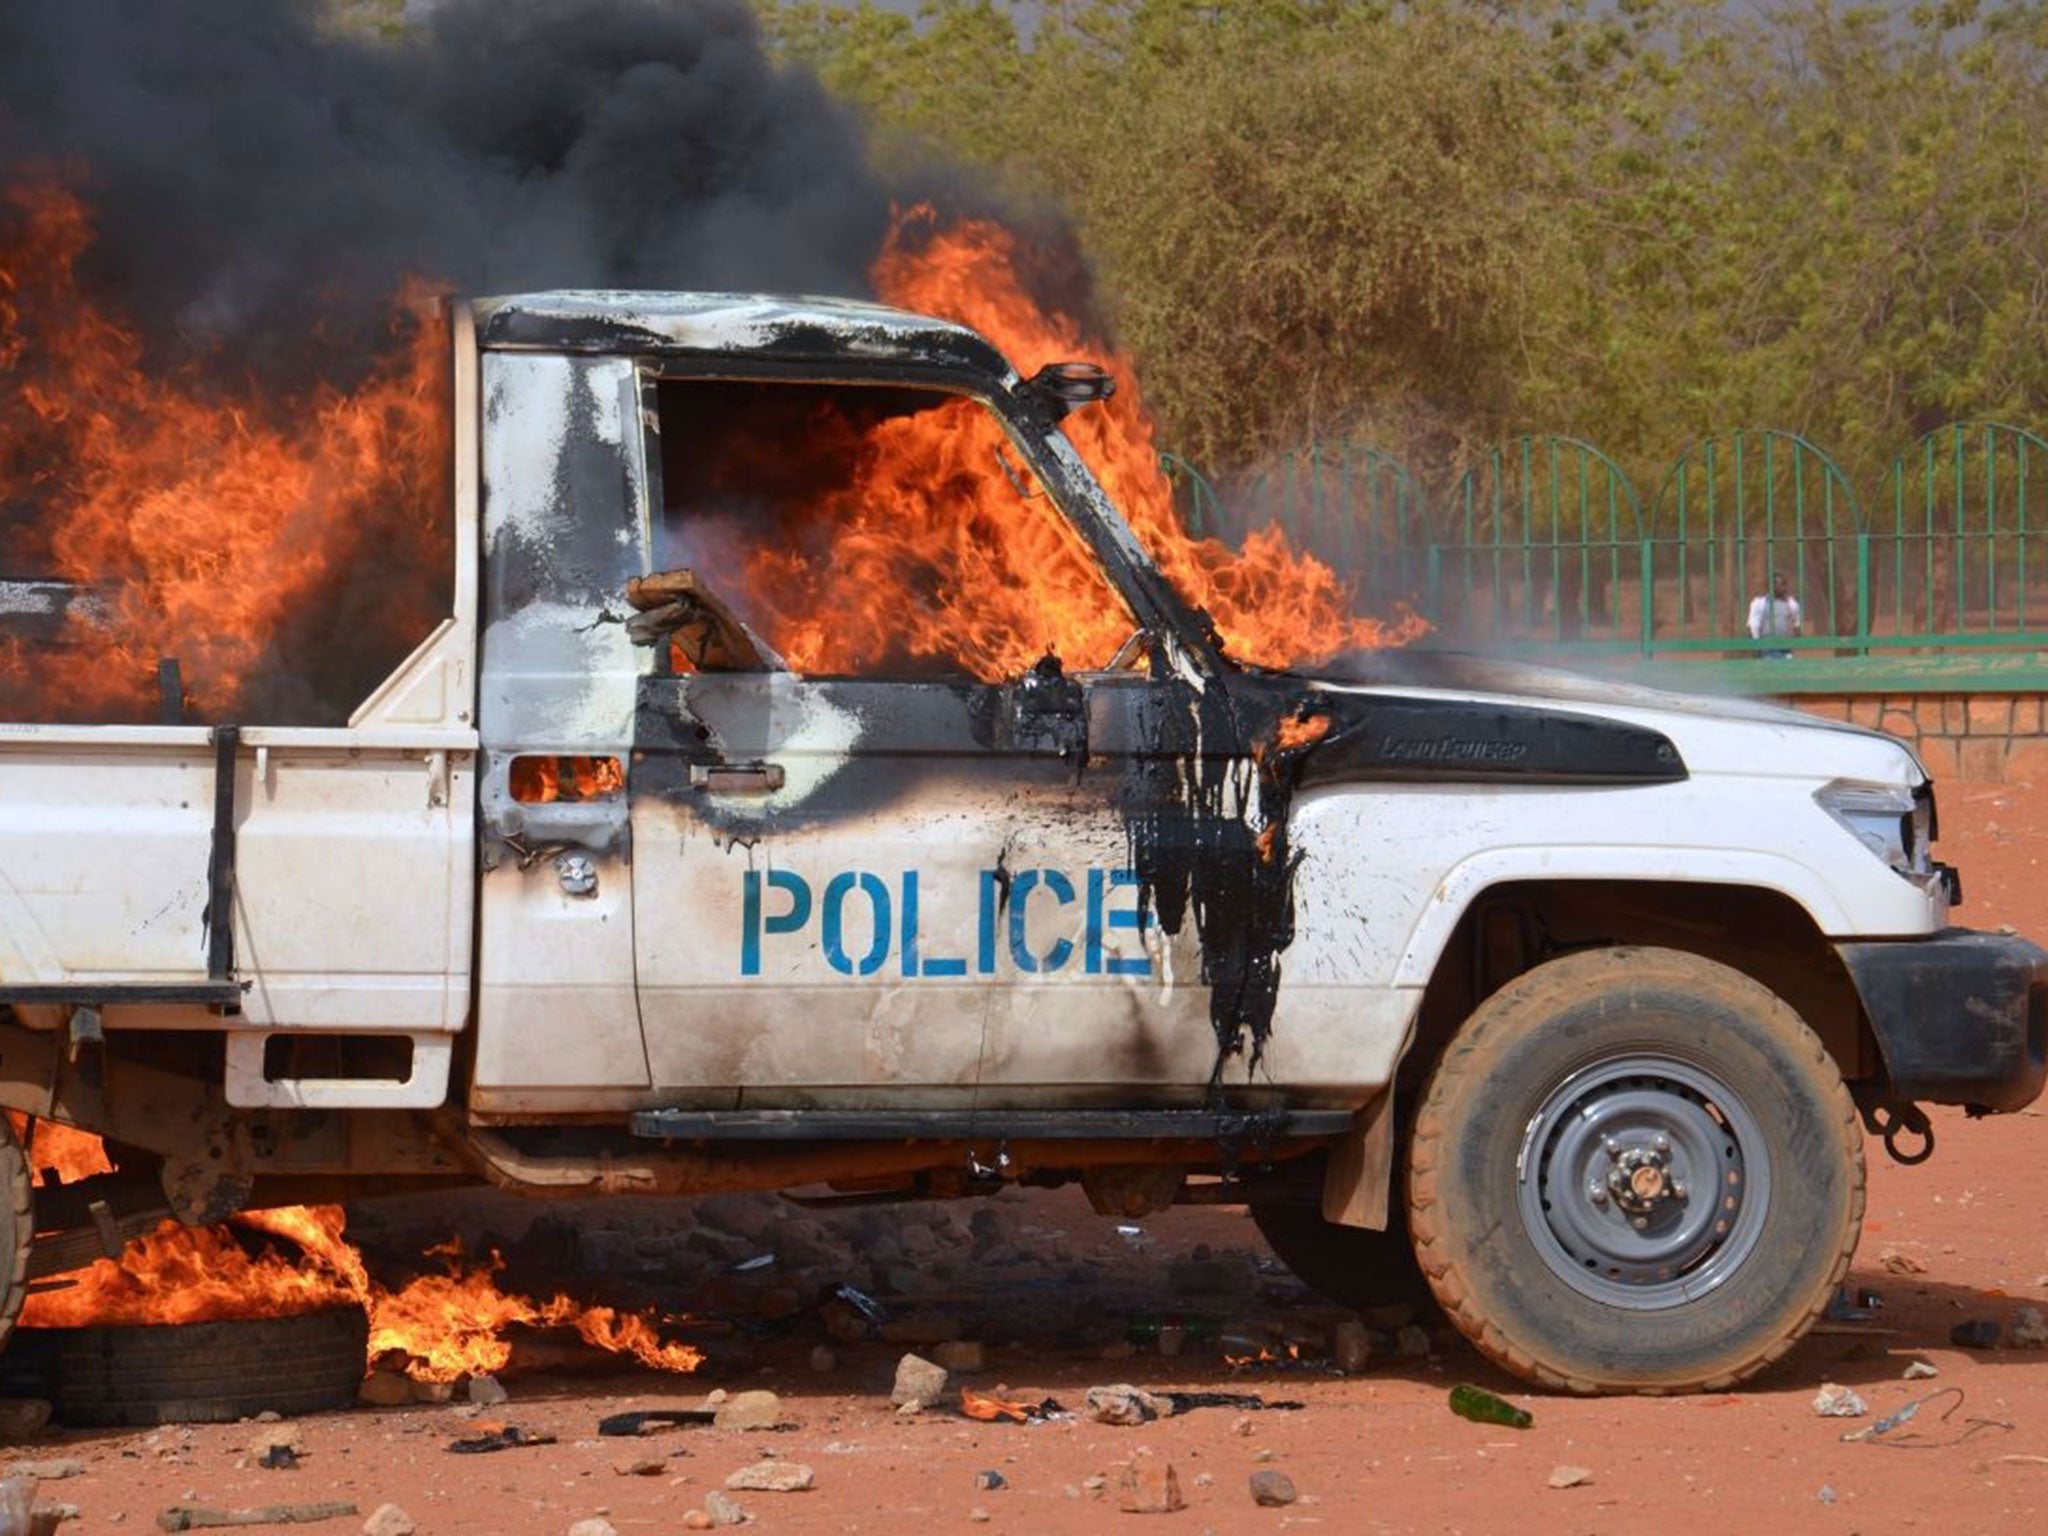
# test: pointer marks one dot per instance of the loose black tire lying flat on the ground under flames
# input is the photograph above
(200, 1373)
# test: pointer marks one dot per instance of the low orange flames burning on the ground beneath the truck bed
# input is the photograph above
(447, 1326)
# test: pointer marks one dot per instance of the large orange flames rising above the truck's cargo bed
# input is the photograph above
(202, 521)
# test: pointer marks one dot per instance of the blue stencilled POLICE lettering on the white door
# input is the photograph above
(892, 921)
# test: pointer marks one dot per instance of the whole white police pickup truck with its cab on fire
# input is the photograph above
(638, 878)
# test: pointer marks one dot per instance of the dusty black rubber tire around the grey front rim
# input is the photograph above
(1490, 1258)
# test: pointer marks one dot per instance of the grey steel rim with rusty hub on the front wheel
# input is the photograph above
(1644, 1183)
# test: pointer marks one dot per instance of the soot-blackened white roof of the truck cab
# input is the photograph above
(767, 329)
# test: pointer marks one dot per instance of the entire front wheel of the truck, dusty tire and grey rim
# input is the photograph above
(1635, 1170)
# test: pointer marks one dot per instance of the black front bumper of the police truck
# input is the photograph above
(1961, 1017)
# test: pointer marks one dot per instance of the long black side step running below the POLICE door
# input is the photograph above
(990, 1125)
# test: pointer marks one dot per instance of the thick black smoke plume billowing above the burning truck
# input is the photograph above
(263, 183)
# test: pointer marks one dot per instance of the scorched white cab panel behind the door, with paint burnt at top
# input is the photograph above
(564, 531)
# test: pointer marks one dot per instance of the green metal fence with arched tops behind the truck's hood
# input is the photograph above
(1543, 546)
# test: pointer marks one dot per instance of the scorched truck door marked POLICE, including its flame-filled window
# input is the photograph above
(869, 857)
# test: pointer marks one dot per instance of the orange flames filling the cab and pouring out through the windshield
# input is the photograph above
(943, 548)
